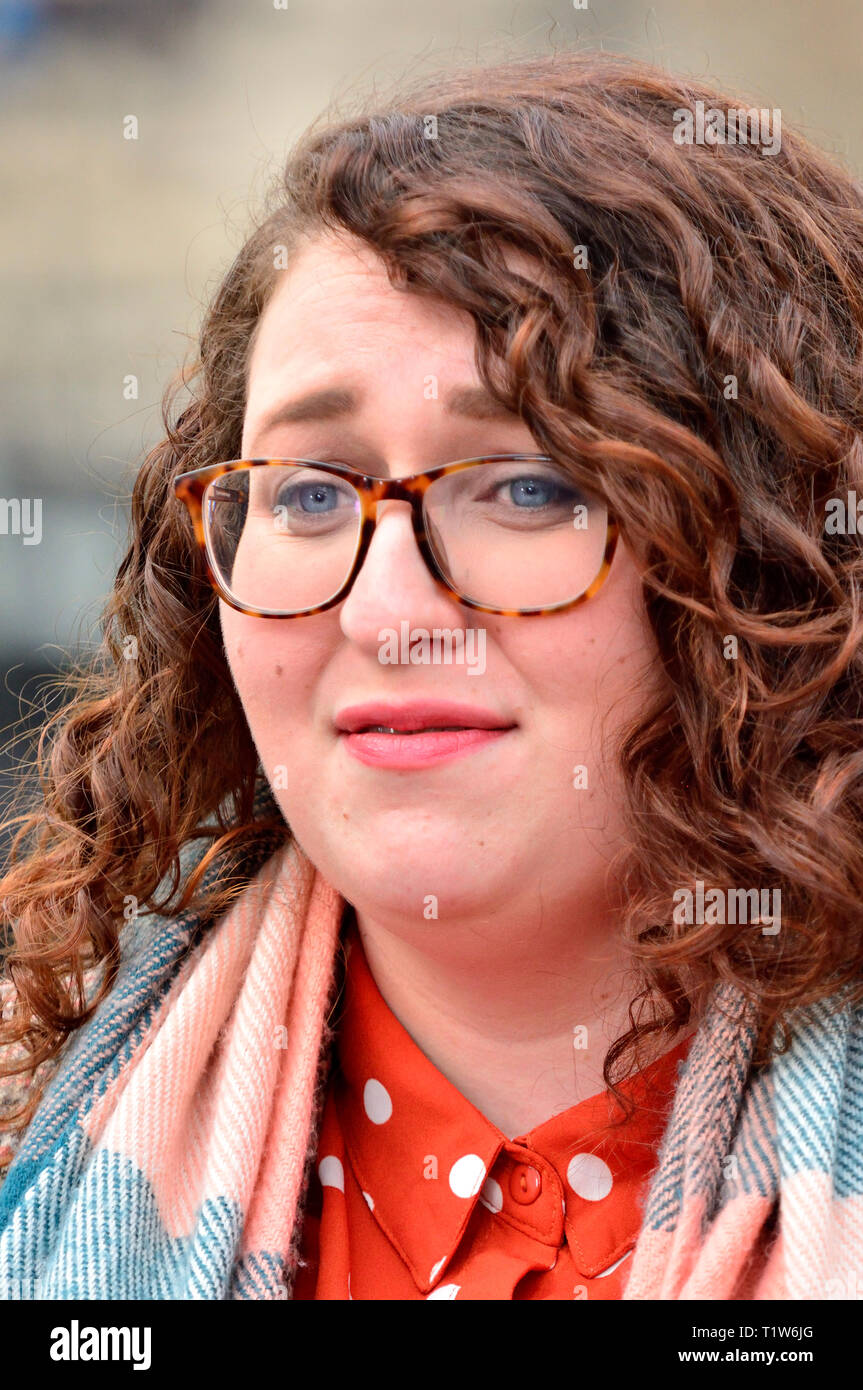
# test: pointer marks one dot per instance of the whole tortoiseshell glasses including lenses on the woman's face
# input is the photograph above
(508, 533)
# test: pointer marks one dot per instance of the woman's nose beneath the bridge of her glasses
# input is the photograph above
(395, 584)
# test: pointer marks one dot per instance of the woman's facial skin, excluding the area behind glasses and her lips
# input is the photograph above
(508, 819)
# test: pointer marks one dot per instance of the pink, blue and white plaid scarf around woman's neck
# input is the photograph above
(172, 1152)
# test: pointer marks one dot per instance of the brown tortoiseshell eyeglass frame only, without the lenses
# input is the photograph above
(190, 489)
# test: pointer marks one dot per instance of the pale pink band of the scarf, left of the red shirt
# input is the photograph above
(211, 1084)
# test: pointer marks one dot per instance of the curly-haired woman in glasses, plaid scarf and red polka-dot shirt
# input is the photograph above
(525, 958)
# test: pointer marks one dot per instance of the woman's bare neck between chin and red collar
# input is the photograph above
(519, 1017)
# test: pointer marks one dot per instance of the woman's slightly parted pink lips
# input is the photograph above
(405, 751)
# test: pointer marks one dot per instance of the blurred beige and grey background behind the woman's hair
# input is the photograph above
(110, 247)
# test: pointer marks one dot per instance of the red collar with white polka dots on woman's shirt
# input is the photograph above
(405, 1127)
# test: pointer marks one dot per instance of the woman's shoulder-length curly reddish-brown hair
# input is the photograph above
(702, 372)
